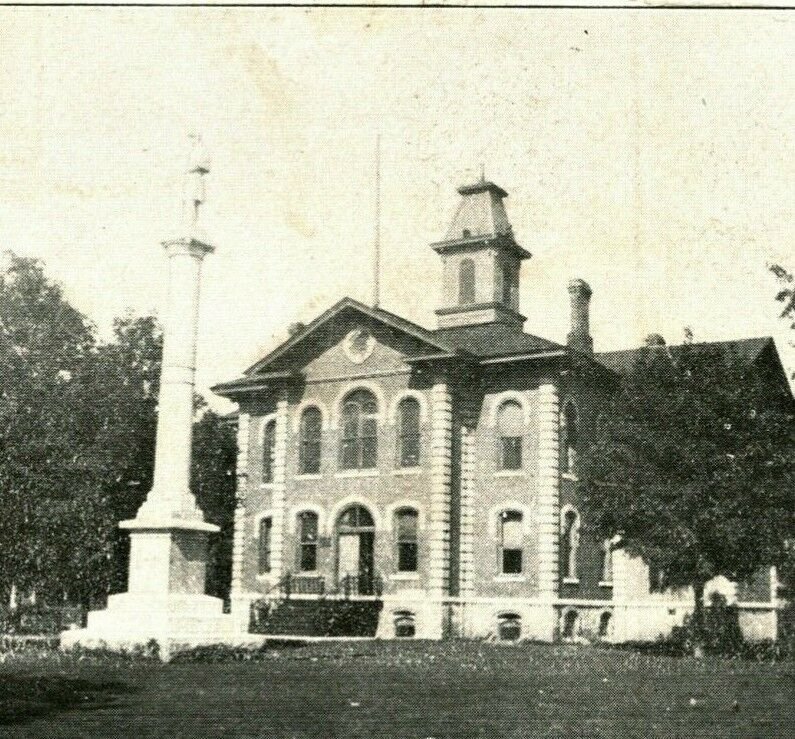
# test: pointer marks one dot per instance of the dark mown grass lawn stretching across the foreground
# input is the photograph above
(410, 689)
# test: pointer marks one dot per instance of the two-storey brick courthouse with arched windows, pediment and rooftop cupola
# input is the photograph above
(433, 471)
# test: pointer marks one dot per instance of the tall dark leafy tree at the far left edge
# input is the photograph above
(44, 343)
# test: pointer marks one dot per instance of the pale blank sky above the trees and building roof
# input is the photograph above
(648, 152)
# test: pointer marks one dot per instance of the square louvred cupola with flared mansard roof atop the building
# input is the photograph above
(480, 261)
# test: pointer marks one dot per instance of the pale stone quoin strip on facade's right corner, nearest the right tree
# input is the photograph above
(548, 504)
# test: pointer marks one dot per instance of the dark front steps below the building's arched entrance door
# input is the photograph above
(319, 618)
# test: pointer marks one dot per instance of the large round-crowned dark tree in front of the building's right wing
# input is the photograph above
(691, 467)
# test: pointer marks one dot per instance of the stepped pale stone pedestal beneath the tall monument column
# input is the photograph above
(165, 600)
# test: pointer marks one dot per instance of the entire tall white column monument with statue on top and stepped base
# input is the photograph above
(165, 600)
